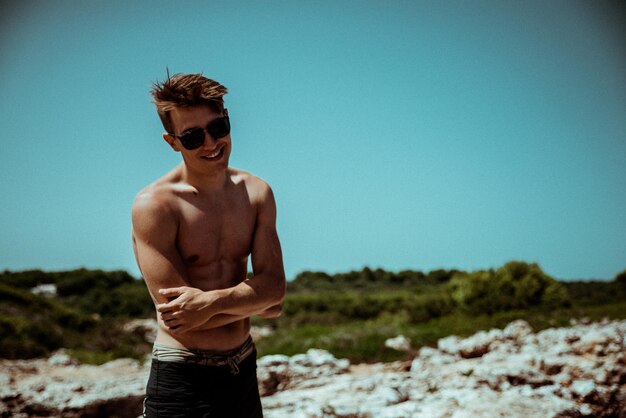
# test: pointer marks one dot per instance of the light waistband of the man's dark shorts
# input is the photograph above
(231, 358)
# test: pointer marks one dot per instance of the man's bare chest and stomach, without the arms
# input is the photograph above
(214, 238)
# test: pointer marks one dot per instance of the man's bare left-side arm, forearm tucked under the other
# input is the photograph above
(155, 226)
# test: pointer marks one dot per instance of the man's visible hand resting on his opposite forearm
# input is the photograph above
(187, 309)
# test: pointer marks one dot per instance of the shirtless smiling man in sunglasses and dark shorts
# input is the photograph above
(193, 230)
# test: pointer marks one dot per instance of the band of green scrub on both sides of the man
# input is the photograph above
(350, 314)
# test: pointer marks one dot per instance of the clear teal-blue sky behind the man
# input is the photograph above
(395, 134)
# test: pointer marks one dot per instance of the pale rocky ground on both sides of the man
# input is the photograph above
(579, 371)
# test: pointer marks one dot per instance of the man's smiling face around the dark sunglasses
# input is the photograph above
(214, 152)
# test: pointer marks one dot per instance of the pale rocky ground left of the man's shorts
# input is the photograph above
(60, 387)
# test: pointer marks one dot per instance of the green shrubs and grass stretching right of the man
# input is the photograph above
(353, 314)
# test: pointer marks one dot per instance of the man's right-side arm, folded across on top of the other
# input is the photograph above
(261, 294)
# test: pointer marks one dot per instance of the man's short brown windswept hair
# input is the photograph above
(186, 90)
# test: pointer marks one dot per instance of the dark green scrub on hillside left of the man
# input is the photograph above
(86, 315)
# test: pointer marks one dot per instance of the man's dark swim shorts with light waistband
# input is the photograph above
(201, 384)
